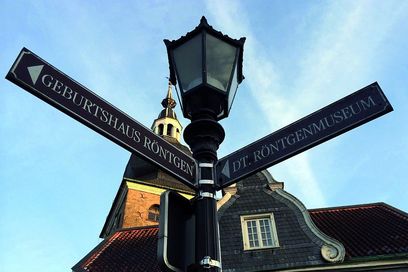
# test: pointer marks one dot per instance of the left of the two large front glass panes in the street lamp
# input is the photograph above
(188, 59)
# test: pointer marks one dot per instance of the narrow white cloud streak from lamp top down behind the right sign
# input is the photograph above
(265, 84)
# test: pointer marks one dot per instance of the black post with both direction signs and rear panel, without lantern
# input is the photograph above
(193, 229)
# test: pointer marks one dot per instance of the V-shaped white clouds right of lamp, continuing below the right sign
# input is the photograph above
(338, 56)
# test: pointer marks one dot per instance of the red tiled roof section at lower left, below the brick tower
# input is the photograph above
(131, 249)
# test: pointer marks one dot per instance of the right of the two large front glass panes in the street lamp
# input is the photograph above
(220, 58)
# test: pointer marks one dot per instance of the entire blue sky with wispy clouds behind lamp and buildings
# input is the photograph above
(58, 178)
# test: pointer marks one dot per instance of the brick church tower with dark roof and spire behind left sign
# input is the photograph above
(137, 201)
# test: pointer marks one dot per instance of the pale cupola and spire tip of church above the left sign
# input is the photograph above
(167, 125)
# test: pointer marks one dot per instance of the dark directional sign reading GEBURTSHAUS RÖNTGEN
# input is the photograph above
(54, 87)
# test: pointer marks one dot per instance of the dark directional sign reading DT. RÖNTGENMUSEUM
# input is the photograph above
(318, 127)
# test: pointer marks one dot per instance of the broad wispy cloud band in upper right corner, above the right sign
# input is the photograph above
(341, 51)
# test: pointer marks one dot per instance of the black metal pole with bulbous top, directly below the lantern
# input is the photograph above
(204, 135)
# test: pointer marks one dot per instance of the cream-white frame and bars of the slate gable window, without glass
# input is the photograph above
(257, 218)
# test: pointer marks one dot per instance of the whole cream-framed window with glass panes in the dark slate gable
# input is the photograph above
(259, 231)
